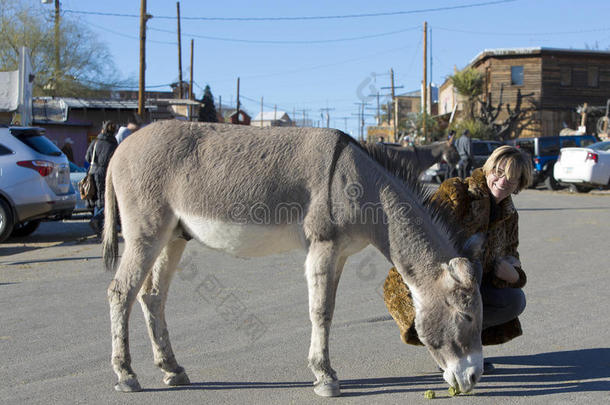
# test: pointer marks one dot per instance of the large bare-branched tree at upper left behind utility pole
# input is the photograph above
(85, 62)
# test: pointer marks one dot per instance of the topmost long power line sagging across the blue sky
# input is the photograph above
(304, 18)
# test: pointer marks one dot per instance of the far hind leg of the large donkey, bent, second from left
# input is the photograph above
(152, 297)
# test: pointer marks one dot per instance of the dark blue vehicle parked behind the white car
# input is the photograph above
(544, 151)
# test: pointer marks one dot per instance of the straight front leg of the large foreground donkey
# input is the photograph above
(322, 269)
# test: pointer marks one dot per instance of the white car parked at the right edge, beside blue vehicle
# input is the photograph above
(584, 168)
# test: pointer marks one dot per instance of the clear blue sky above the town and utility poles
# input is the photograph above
(335, 62)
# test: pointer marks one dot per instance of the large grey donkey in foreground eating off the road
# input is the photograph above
(174, 181)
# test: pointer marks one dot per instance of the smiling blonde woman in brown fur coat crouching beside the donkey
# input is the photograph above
(481, 203)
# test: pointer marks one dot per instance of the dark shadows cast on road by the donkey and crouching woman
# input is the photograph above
(534, 375)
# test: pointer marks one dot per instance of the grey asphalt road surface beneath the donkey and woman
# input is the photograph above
(55, 340)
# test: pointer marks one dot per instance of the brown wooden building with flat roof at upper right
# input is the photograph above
(559, 80)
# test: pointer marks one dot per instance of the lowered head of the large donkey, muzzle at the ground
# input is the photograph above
(449, 321)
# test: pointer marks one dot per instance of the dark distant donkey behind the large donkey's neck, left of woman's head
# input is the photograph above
(422, 157)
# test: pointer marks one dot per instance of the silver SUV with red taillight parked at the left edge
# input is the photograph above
(34, 181)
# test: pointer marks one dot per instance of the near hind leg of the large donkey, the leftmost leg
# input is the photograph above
(137, 260)
